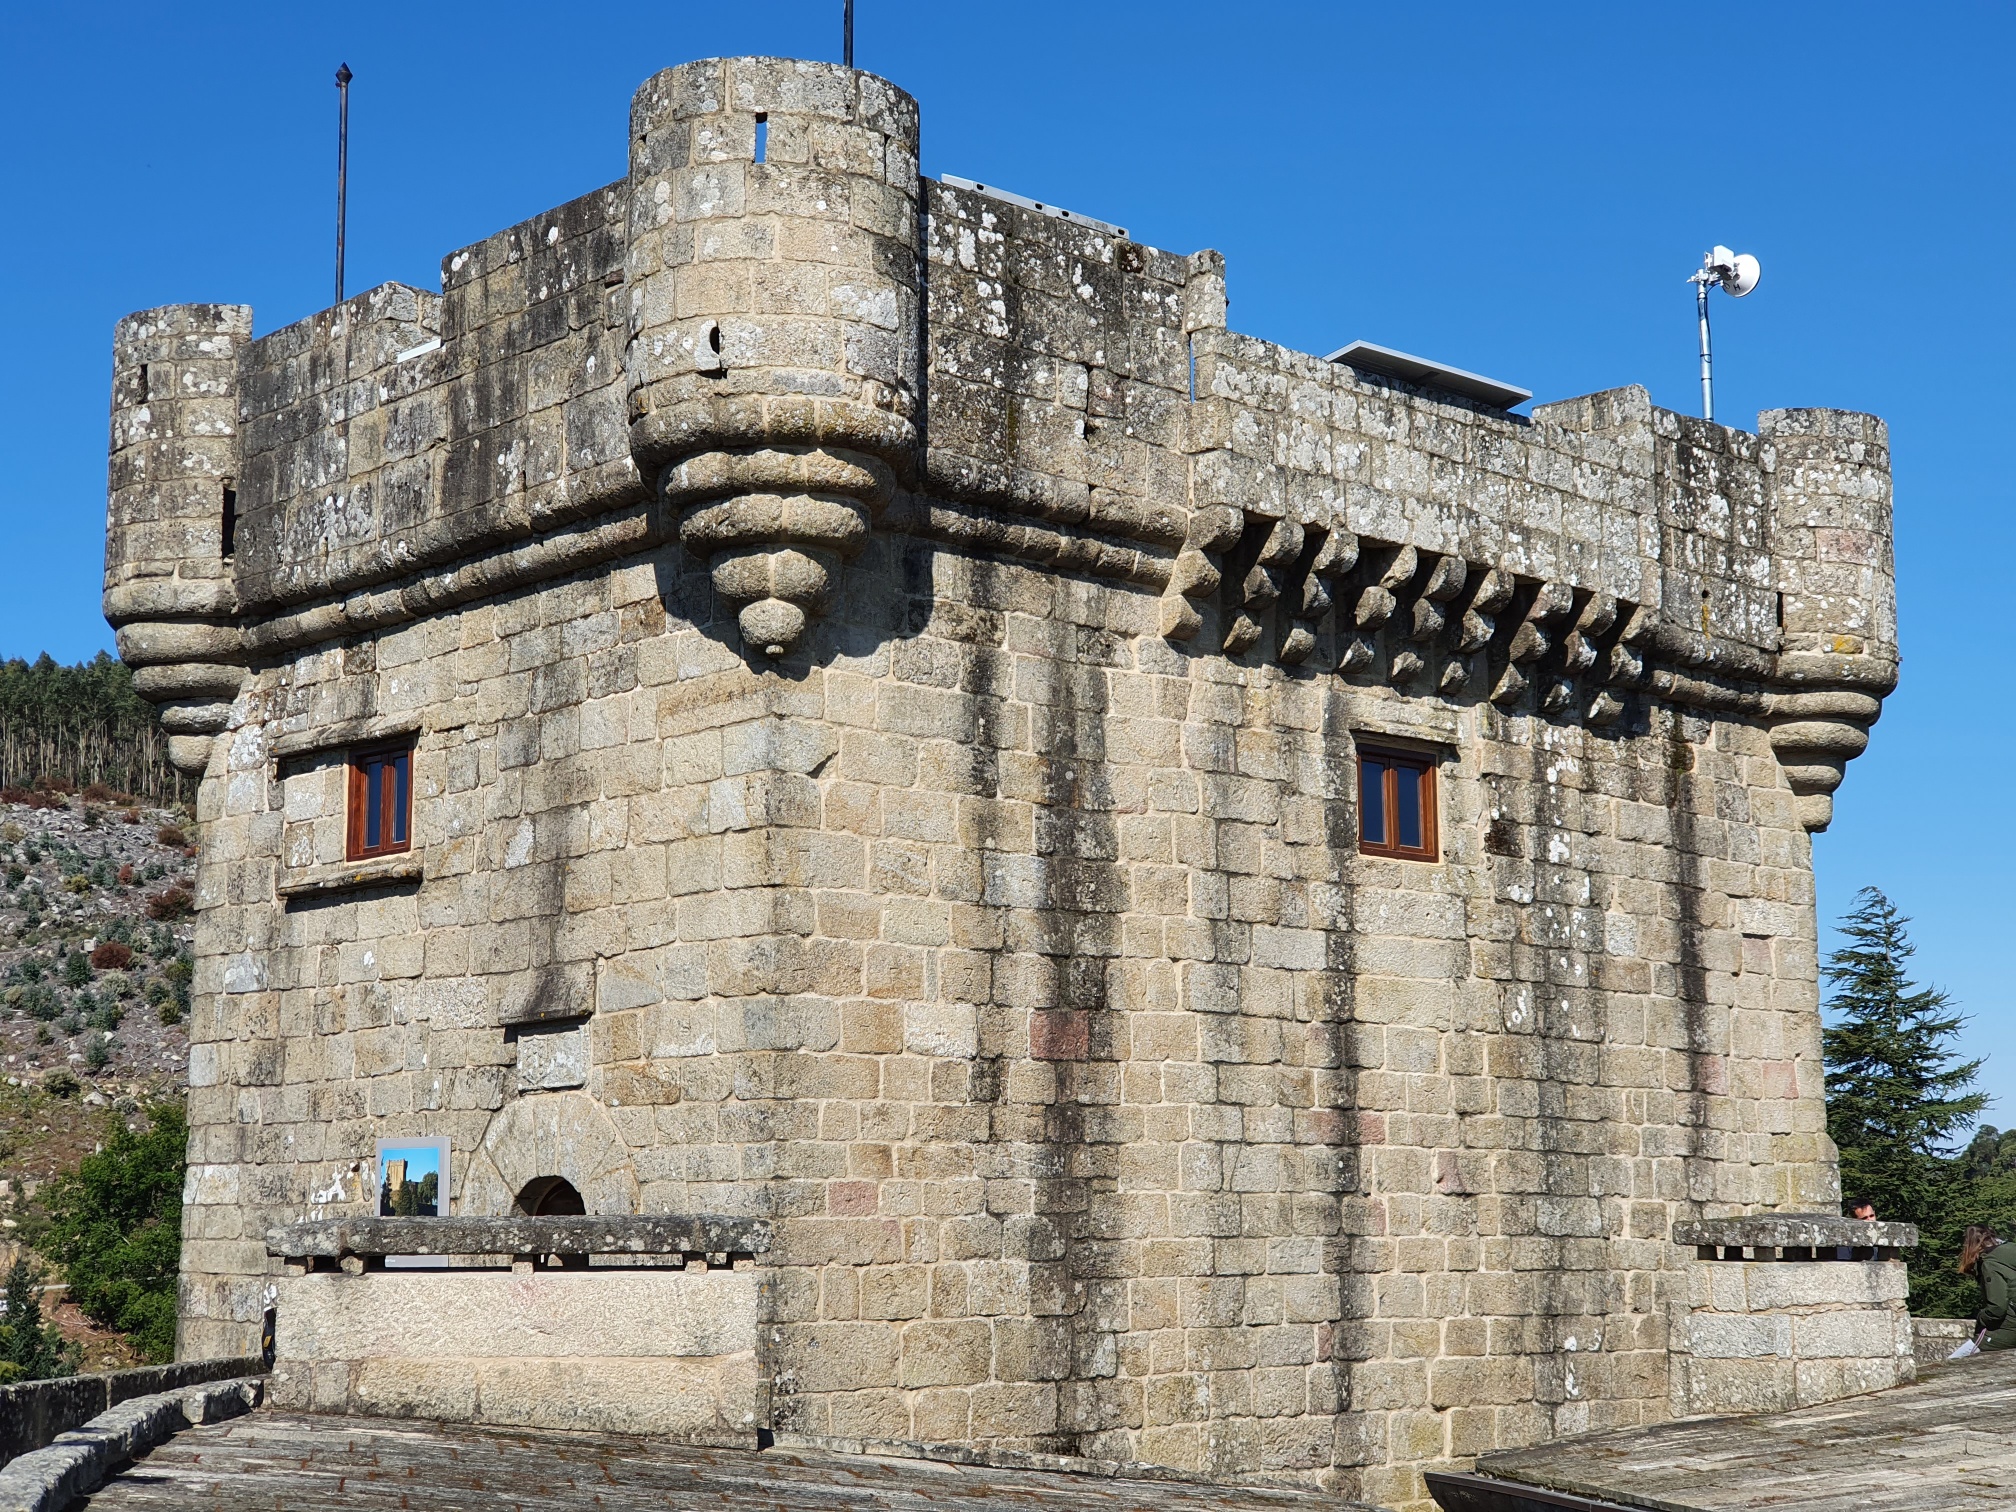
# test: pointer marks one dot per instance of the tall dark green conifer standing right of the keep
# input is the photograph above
(1898, 1102)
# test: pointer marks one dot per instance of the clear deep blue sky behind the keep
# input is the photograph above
(1519, 191)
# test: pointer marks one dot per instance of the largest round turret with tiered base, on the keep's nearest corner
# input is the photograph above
(773, 326)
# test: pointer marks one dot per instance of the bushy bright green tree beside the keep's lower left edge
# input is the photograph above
(116, 1229)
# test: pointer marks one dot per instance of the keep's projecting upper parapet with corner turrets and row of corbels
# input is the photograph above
(624, 370)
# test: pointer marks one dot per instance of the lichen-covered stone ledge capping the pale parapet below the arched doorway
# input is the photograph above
(642, 1235)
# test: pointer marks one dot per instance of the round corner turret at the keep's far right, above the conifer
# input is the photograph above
(1832, 547)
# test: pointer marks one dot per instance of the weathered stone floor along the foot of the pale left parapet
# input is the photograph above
(295, 1463)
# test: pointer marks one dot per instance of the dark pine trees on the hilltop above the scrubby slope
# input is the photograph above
(84, 725)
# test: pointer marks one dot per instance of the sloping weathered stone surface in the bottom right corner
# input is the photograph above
(1946, 1442)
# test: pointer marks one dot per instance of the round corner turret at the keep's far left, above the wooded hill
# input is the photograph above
(172, 515)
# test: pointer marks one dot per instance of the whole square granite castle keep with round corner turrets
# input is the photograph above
(884, 672)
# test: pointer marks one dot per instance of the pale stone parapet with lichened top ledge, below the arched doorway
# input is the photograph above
(632, 1324)
